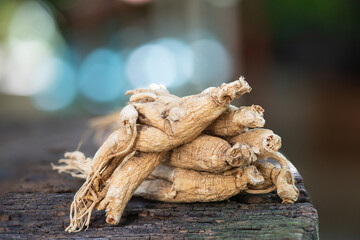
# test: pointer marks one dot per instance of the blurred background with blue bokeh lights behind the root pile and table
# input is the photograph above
(63, 62)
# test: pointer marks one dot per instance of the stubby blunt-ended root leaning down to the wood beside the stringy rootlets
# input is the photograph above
(124, 181)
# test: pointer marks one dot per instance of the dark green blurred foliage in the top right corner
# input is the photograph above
(291, 19)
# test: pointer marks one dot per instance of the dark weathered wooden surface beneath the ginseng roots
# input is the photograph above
(38, 207)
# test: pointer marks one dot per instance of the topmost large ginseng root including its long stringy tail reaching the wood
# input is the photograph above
(181, 126)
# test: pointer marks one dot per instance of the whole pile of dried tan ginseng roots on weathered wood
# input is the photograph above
(162, 147)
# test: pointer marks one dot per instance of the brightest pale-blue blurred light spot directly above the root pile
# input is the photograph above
(166, 61)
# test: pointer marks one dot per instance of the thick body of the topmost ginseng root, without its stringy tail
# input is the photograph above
(166, 126)
